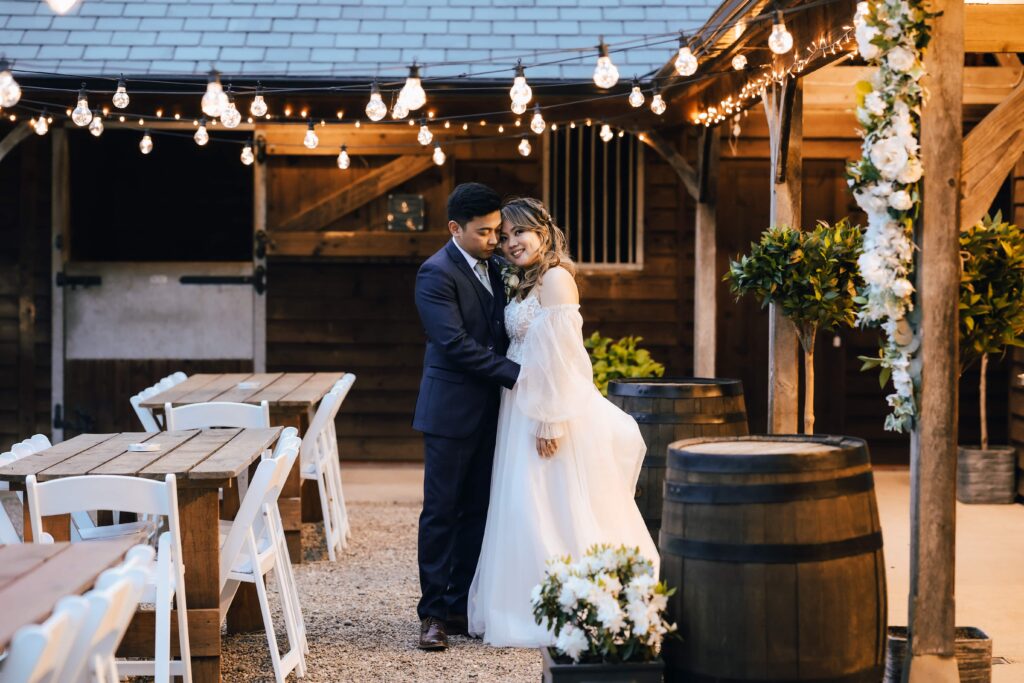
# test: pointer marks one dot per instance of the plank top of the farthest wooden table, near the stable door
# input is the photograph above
(280, 390)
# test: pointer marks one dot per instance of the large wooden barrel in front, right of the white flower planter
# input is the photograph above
(775, 547)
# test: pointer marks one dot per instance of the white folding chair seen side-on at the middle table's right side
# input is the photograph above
(252, 545)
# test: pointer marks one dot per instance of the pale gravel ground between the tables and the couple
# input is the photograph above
(361, 615)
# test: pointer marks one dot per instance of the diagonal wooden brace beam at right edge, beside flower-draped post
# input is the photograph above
(991, 152)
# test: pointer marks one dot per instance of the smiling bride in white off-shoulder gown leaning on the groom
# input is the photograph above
(567, 460)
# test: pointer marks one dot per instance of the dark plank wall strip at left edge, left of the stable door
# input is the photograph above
(25, 292)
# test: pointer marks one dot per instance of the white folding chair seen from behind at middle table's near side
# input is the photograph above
(166, 584)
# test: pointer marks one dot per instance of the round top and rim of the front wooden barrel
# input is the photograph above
(784, 453)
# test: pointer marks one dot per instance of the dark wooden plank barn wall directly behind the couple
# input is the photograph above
(359, 315)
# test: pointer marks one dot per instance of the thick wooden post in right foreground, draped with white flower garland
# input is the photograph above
(933, 445)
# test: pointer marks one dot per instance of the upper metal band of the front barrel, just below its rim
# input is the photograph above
(772, 493)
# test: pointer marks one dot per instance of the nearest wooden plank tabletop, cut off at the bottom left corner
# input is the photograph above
(34, 577)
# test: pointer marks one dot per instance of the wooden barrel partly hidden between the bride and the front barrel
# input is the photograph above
(672, 409)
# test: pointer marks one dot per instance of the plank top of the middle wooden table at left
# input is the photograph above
(205, 456)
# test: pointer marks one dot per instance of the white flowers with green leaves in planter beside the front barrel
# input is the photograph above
(608, 607)
